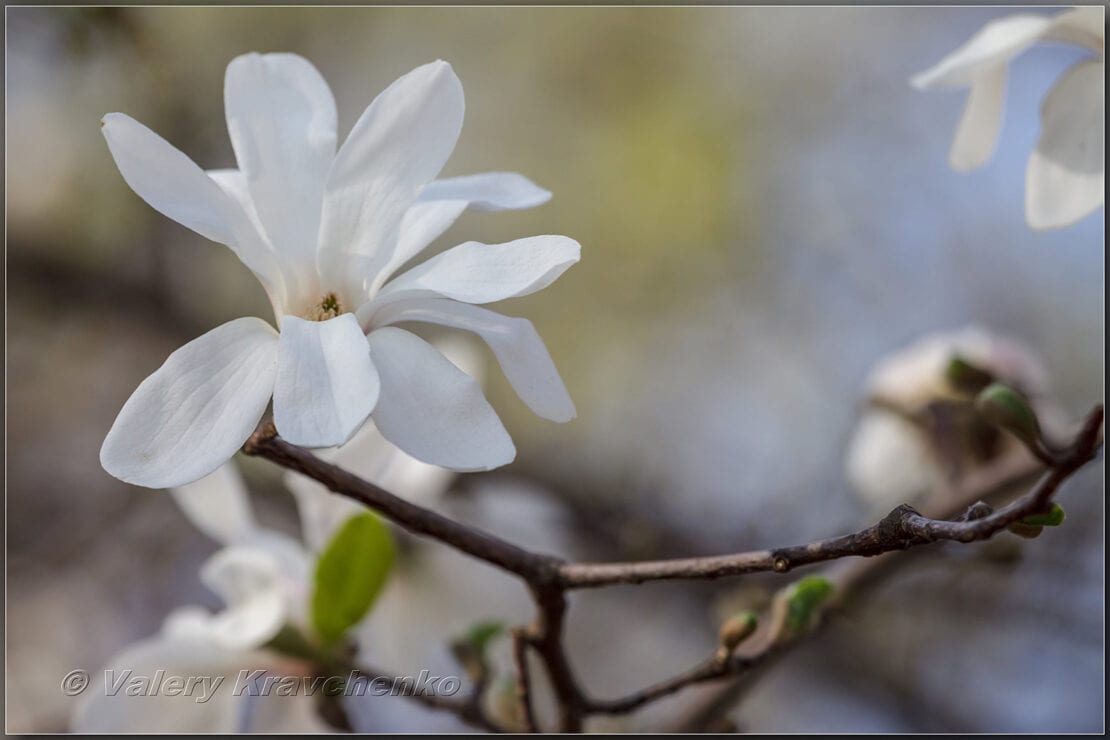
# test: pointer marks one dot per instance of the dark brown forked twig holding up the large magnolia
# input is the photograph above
(550, 579)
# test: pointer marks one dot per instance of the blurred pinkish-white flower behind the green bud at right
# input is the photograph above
(913, 439)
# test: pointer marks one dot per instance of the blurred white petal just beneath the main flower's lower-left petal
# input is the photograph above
(218, 505)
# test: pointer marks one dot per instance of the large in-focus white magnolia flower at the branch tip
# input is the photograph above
(325, 231)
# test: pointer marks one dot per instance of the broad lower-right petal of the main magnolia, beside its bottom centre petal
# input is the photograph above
(432, 410)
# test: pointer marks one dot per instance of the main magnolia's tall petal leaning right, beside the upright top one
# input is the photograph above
(399, 146)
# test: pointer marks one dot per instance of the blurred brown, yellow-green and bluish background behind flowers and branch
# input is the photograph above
(765, 211)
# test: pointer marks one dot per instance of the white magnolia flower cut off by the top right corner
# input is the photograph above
(1065, 177)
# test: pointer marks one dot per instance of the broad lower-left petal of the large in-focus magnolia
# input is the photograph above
(197, 410)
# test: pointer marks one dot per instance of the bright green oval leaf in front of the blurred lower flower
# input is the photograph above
(350, 575)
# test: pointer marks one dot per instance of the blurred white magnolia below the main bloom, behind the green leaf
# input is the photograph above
(265, 580)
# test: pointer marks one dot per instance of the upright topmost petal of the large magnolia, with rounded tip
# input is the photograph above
(281, 117)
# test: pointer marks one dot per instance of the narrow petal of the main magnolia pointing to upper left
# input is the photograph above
(174, 186)
